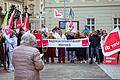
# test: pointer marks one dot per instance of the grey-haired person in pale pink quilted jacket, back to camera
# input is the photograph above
(27, 60)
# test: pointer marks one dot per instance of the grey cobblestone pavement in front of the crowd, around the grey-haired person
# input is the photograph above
(66, 71)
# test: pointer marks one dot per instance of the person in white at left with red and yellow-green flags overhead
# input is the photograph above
(10, 36)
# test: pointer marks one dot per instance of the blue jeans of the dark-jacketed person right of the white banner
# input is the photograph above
(96, 49)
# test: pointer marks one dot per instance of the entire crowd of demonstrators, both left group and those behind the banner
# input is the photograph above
(81, 54)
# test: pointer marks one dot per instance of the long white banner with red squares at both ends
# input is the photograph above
(66, 43)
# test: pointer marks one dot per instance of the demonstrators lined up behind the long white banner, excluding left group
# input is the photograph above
(82, 54)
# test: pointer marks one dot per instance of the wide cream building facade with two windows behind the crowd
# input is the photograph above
(97, 14)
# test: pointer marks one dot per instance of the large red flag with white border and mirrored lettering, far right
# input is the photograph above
(111, 44)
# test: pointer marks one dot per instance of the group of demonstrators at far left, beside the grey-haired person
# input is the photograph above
(8, 42)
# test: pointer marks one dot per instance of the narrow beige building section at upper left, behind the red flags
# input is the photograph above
(35, 7)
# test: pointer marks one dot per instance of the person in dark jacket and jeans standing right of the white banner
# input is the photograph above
(94, 43)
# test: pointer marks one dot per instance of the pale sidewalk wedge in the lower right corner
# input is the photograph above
(112, 70)
